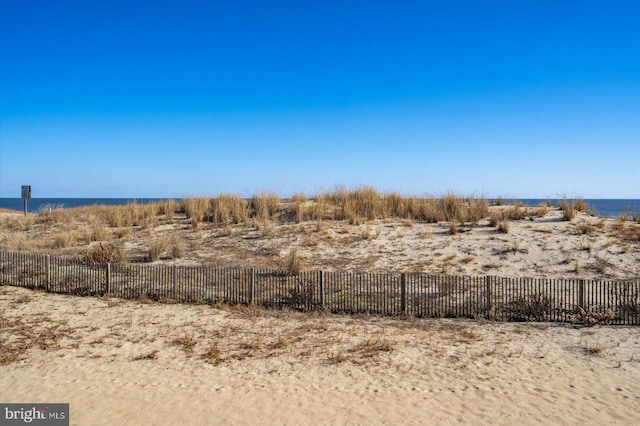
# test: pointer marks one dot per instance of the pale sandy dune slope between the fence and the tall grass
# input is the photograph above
(545, 246)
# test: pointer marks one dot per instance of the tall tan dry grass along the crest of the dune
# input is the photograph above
(78, 227)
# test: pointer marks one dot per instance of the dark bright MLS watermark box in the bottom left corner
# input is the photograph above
(38, 414)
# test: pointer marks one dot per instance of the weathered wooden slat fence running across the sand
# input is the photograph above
(412, 294)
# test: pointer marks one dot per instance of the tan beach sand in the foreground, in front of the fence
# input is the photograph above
(132, 363)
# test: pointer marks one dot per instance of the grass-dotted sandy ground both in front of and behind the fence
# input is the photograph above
(130, 362)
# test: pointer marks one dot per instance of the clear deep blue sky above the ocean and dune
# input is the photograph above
(167, 98)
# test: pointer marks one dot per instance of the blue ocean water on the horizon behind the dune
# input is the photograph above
(602, 207)
